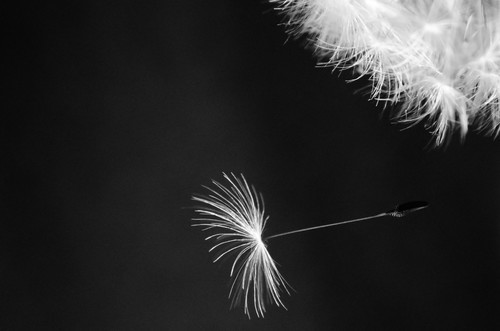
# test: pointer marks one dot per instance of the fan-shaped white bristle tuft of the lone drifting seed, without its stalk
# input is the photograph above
(237, 214)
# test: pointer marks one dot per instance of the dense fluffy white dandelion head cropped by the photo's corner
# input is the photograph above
(440, 59)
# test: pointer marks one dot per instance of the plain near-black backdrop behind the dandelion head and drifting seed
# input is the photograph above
(115, 112)
